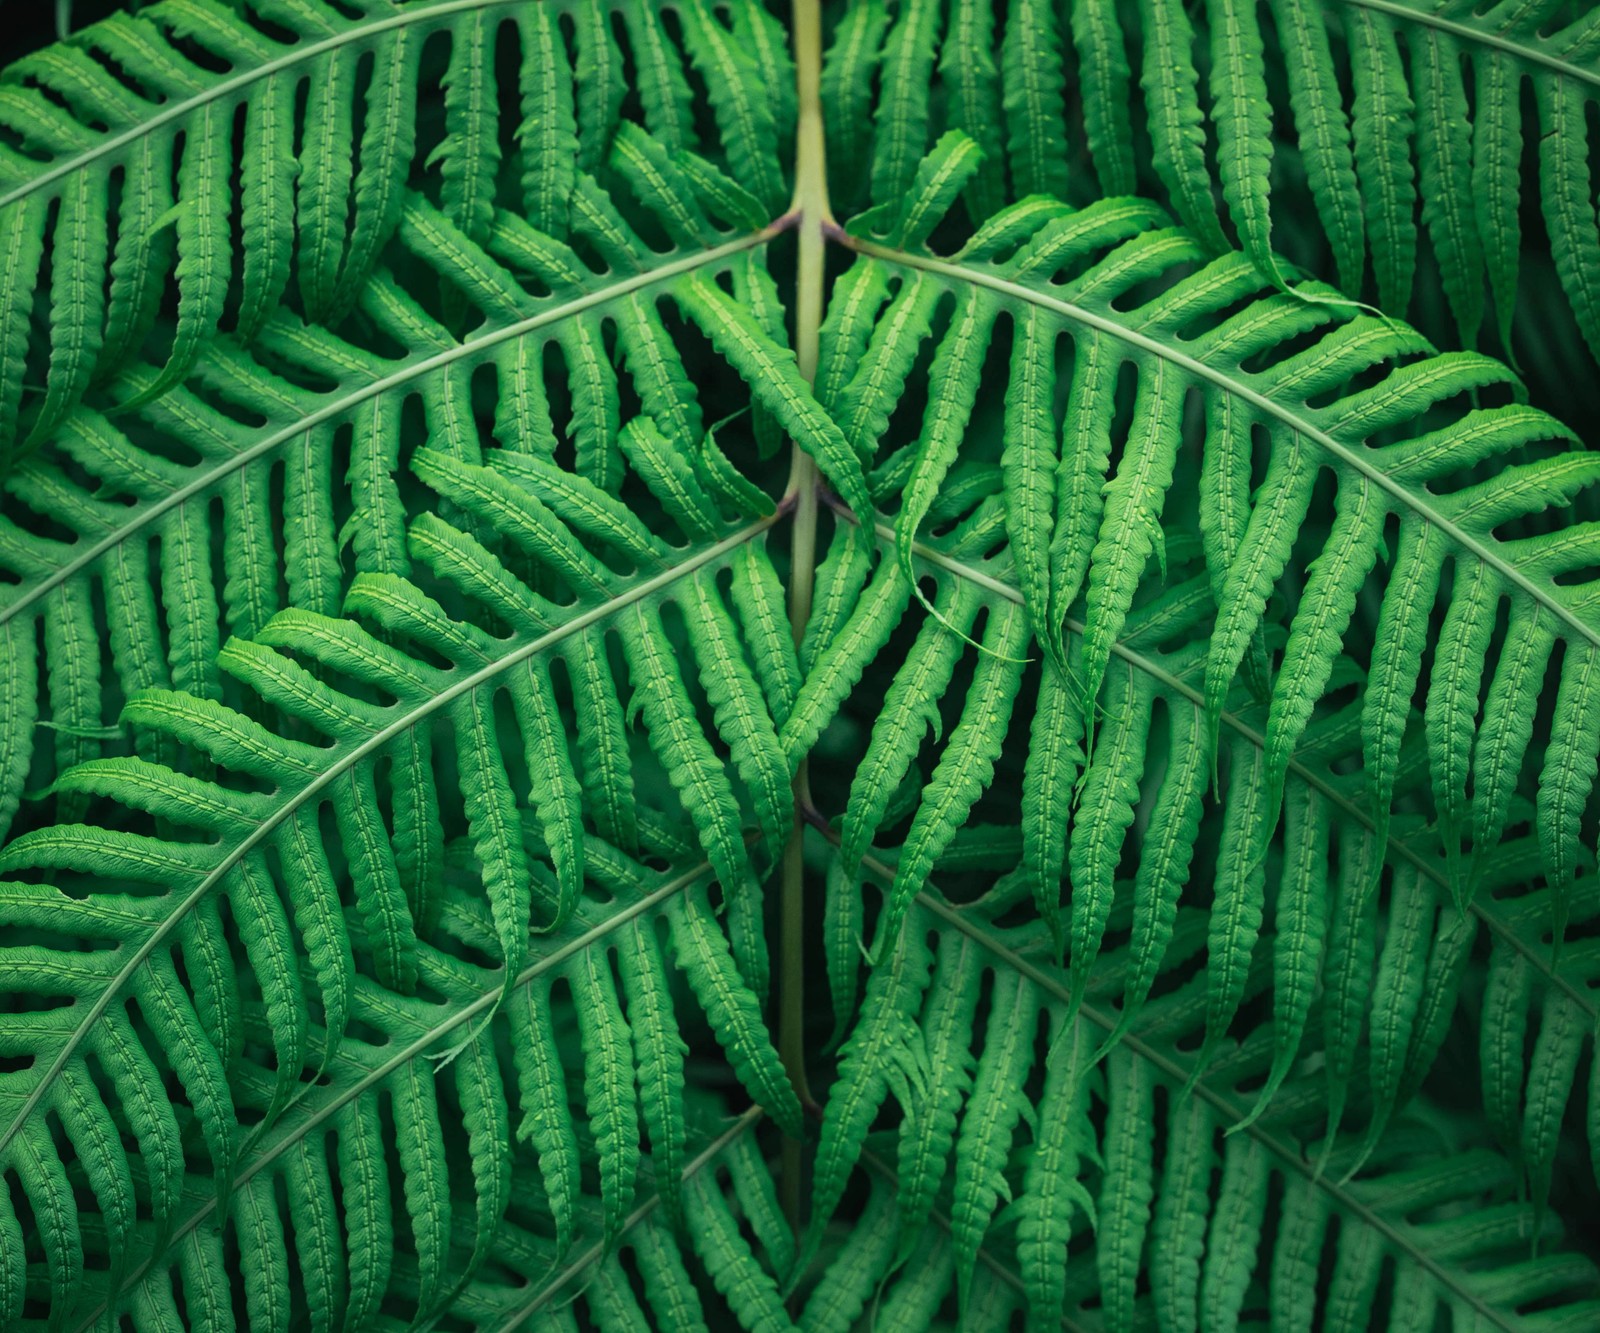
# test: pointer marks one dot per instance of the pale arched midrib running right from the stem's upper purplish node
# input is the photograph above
(1230, 385)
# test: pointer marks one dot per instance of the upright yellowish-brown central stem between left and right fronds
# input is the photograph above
(810, 204)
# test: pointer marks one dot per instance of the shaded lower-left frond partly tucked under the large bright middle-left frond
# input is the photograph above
(423, 1158)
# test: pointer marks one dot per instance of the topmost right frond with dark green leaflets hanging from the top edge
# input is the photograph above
(1385, 114)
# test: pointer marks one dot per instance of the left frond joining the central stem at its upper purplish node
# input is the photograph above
(297, 452)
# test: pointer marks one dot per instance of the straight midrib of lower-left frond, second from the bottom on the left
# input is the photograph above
(406, 1055)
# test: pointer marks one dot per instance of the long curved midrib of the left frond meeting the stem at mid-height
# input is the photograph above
(354, 756)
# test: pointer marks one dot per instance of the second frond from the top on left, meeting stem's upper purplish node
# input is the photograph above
(129, 505)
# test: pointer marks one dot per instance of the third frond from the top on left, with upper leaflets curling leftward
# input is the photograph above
(266, 851)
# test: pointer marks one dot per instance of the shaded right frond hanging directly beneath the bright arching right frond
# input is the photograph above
(1316, 886)
